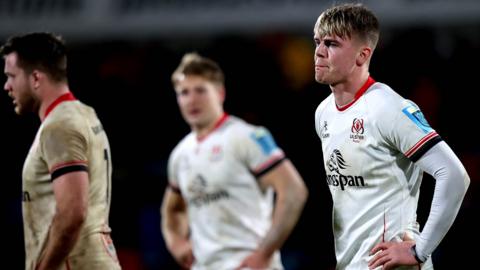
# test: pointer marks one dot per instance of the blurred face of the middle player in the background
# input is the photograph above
(200, 101)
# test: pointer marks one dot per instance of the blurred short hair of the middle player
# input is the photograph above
(195, 64)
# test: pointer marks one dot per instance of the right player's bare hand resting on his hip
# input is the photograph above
(392, 254)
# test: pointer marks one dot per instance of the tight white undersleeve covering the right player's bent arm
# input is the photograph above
(451, 185)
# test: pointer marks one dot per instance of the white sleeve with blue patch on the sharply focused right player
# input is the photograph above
(409, 131)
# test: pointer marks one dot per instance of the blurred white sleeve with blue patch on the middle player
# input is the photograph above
(259, 150)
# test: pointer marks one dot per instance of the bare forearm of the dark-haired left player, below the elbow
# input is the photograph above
(63, 234)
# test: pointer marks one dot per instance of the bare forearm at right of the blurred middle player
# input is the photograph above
(288, 207)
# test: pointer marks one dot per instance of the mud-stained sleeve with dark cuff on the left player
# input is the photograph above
(64, 146)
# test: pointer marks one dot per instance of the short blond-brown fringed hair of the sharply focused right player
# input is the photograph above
(347, 20)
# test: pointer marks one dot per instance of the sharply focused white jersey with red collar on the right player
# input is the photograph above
(369, 149)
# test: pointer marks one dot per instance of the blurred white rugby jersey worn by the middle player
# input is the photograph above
(217, 175)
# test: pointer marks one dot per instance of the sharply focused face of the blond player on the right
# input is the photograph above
(335, 58)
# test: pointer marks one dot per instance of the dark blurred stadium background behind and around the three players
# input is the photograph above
(121, 56)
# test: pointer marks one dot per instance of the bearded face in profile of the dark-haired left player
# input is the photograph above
(18, 86)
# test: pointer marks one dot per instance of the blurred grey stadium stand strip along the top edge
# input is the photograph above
(99, 19)
